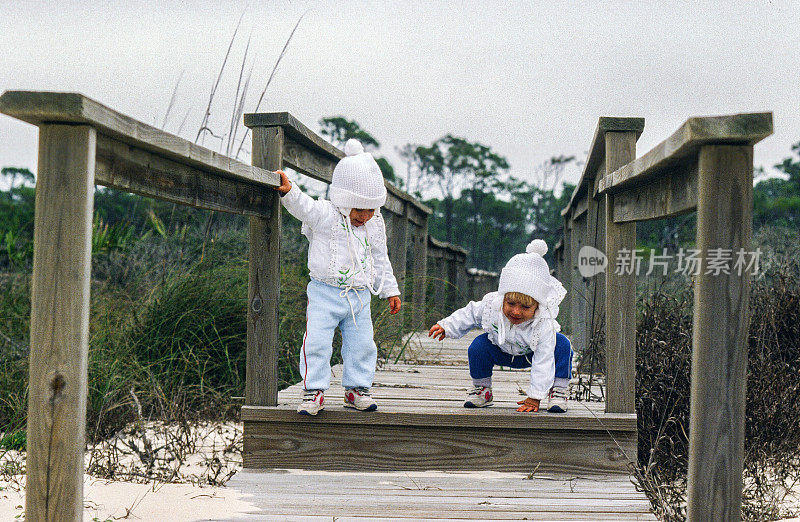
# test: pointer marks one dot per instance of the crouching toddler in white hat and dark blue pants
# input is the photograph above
(521, 331)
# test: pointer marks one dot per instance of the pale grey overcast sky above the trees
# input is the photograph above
(530, 79)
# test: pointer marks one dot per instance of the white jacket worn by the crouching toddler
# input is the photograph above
(537, 336)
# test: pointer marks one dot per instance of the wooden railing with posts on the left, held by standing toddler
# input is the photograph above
(83, 143)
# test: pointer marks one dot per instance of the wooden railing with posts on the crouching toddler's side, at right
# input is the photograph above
(705, 166)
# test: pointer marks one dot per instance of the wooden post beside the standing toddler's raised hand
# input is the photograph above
(263, 296)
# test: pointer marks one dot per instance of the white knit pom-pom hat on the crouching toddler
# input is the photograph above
(529, 274)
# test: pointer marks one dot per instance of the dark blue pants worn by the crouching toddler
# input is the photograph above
(484, 355)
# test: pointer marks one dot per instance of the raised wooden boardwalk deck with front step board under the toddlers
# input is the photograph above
(421, 424)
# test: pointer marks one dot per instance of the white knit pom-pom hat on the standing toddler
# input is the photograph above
(357, 180)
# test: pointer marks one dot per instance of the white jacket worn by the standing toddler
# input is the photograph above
(339, 254)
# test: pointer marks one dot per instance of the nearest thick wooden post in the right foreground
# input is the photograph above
(719, 341)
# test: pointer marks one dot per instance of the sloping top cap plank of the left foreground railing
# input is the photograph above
(40, 108)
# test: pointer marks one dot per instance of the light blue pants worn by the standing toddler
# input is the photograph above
(327, 310)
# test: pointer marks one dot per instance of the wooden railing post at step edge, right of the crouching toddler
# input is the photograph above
(620, 289)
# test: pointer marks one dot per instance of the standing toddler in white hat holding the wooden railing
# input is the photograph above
(348, 261)
